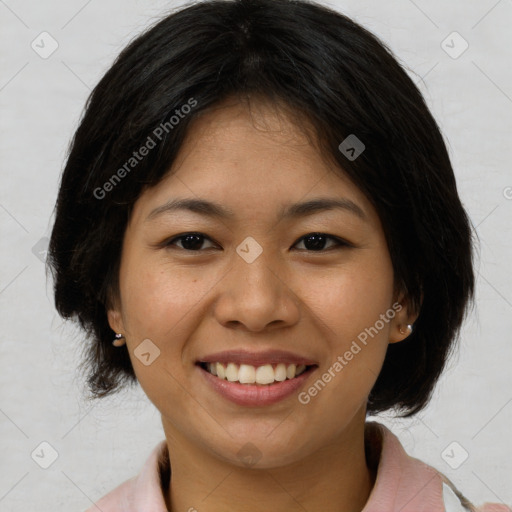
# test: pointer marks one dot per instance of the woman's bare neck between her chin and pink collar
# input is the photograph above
(332, 479)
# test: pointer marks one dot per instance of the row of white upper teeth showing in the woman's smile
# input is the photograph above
(248, 374)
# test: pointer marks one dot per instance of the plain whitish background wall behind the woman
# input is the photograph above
(100, 445)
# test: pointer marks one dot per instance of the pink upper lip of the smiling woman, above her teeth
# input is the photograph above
(242, 356)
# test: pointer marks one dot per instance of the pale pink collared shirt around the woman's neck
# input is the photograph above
(403, 483)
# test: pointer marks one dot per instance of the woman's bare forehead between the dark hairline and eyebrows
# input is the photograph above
(251, 158)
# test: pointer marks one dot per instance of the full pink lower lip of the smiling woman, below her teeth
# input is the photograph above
(253, 394)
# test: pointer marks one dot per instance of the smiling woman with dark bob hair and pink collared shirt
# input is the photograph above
(335, 277)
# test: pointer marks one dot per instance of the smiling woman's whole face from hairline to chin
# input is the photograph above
(261, 284)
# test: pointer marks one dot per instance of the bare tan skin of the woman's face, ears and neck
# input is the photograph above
(314, 303)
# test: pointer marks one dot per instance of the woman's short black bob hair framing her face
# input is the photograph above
(329, 71)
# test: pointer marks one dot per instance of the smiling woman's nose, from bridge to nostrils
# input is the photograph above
(256, 297)
